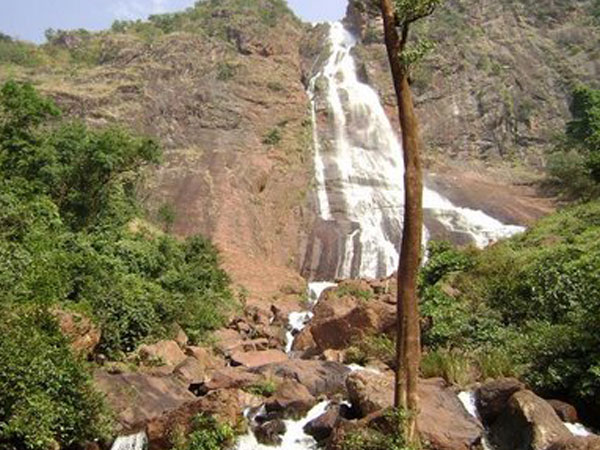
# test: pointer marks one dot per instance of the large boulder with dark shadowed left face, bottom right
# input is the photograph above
(527, 422)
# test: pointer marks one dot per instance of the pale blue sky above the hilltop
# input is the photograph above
(28, 19)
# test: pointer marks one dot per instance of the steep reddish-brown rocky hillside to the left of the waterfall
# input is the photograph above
(220, 87)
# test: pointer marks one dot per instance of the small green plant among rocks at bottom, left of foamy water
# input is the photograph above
(207, 434)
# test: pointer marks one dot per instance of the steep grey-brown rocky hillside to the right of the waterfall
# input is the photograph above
(493, 93)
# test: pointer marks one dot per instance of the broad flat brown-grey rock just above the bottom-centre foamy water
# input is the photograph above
(319, 377)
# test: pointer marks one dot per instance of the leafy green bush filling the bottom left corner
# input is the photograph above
(46, 394)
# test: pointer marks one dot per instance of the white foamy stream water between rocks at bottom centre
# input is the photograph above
(294, 438)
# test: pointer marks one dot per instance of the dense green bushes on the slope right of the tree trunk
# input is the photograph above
(533, 299)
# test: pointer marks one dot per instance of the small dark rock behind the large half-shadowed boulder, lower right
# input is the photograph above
(491, 398)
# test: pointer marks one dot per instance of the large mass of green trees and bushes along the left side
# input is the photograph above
(67, 241)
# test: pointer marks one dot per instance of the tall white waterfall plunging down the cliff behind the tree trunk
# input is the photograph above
(364, 167)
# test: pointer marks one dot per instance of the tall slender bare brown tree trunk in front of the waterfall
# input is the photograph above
(408, 345)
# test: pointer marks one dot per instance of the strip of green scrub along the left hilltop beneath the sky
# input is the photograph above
(226, 20)
